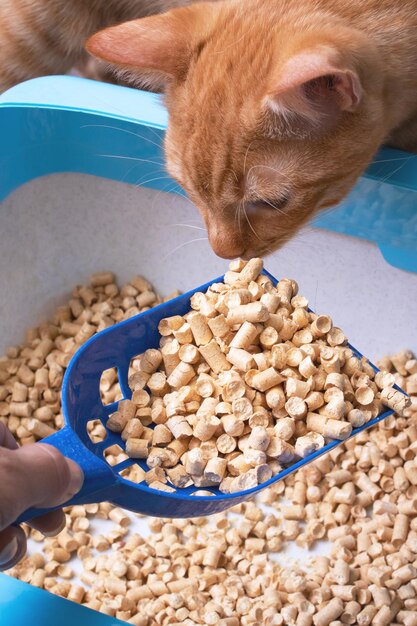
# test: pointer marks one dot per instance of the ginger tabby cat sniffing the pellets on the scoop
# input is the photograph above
(275, 106)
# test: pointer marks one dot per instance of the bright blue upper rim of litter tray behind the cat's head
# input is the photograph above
(68, 124)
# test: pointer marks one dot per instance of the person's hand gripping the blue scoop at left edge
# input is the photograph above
(36, 475)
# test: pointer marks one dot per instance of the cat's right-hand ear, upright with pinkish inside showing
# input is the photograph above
(315, 86)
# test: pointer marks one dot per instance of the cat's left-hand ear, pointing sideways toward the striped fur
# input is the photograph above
(159, 45)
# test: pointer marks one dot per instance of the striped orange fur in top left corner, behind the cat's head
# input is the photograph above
(42, 37)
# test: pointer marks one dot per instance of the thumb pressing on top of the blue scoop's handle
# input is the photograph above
(36, 475)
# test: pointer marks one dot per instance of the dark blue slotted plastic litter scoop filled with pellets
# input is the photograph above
(81, 403)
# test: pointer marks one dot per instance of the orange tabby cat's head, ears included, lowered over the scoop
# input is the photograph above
(271, 117)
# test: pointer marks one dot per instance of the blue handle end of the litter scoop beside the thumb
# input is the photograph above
(98, 476)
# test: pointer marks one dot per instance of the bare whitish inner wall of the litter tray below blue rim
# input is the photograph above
(58, 230)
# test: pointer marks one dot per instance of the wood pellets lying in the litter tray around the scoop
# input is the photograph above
(361, 497)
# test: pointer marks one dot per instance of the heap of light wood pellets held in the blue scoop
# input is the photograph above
(246, 383)
